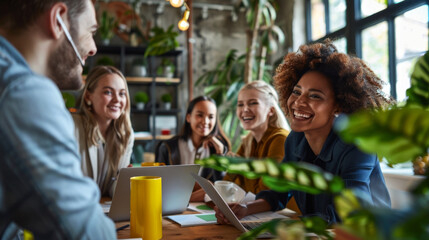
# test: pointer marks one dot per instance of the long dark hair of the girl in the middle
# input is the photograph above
(186, 131)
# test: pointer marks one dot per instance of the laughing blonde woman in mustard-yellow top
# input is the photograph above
(260, 114)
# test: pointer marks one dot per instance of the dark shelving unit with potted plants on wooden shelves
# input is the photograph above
(154, 85)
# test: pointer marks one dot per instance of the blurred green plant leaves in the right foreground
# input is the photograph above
(398, 134)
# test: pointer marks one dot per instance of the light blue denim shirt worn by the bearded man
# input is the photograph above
(42, 188)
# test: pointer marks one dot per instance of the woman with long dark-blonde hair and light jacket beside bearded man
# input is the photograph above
(103, 127)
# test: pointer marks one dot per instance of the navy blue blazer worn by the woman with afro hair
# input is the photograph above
(360, 171)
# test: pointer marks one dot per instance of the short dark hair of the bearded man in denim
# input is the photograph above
(16, 15)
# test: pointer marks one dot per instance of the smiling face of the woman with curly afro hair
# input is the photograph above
(312, 104)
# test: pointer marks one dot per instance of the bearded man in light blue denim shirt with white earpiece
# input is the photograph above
(43, 47)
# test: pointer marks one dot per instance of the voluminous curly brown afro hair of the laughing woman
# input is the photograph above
(355, 85)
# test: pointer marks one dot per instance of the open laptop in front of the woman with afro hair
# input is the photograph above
(229, 214)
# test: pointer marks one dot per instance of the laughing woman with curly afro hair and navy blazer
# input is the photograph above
(316, 84)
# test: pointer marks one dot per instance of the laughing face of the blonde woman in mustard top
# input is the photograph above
(253, 110)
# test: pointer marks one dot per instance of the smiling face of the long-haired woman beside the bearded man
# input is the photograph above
(109, 98)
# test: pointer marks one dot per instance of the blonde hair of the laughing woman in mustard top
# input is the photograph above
(270, 97)
